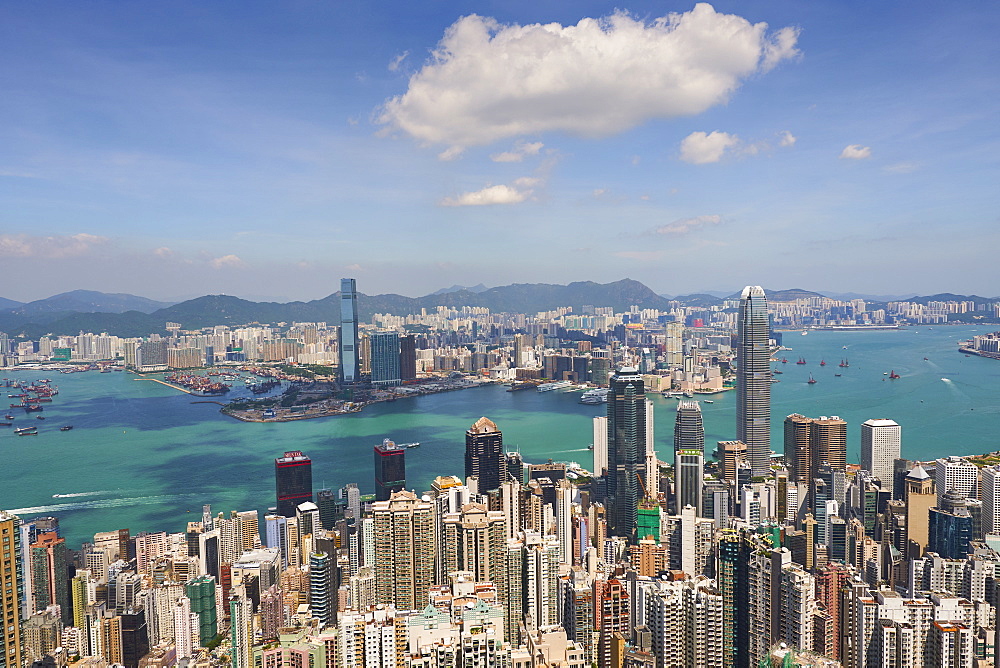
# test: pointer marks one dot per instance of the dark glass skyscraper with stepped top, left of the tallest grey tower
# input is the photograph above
(626, 448)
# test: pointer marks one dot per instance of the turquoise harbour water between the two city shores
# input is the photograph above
(142, 456)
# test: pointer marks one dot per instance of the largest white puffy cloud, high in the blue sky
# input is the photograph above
(486, 81)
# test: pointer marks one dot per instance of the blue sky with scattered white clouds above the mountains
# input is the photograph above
(266, 149)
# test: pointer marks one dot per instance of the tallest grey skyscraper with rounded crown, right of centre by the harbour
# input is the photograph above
(753, 379)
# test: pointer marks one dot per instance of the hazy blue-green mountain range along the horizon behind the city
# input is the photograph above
(129, 315)
